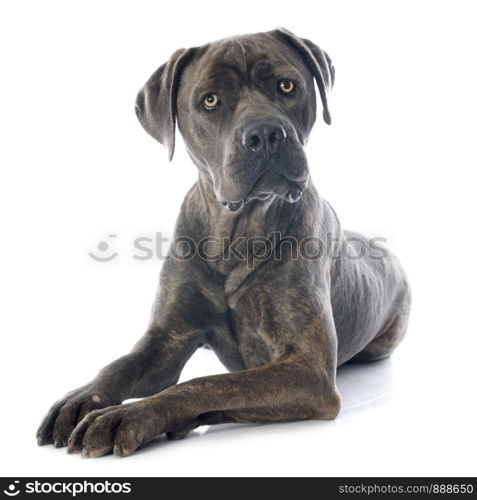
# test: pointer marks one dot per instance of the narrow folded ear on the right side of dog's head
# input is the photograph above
(319, 63)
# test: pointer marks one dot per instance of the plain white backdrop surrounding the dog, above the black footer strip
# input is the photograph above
(398, 162)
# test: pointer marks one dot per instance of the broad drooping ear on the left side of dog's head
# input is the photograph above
(156, 102)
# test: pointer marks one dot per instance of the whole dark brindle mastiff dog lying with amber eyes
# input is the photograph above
(274, 285)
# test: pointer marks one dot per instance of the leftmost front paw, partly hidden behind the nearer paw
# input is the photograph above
(65, 414)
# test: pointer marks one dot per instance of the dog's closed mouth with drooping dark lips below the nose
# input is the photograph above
(267, 186)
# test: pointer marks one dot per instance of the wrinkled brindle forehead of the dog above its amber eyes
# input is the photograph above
(246, 58)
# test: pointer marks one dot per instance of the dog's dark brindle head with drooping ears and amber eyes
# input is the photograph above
(244, 106)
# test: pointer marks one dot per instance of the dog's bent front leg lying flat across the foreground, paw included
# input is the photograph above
(300, 384)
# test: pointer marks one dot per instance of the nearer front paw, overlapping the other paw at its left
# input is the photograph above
(119, 429)
